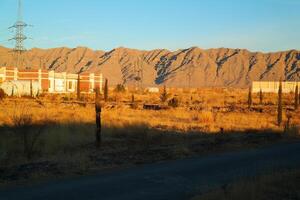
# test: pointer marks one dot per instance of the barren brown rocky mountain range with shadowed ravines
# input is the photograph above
(193, 67)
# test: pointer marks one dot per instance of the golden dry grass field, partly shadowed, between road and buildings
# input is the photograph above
(54, 135)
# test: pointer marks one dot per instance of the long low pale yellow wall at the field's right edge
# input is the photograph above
(273, 87)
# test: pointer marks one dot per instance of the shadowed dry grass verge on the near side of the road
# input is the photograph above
(278, 186)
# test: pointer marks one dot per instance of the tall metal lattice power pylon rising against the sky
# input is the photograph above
(19, 37)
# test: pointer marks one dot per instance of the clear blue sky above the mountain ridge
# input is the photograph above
(258, 25)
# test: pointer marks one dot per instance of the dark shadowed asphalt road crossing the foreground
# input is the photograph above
(168, 180)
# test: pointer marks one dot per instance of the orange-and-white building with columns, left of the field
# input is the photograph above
(53, 82)
